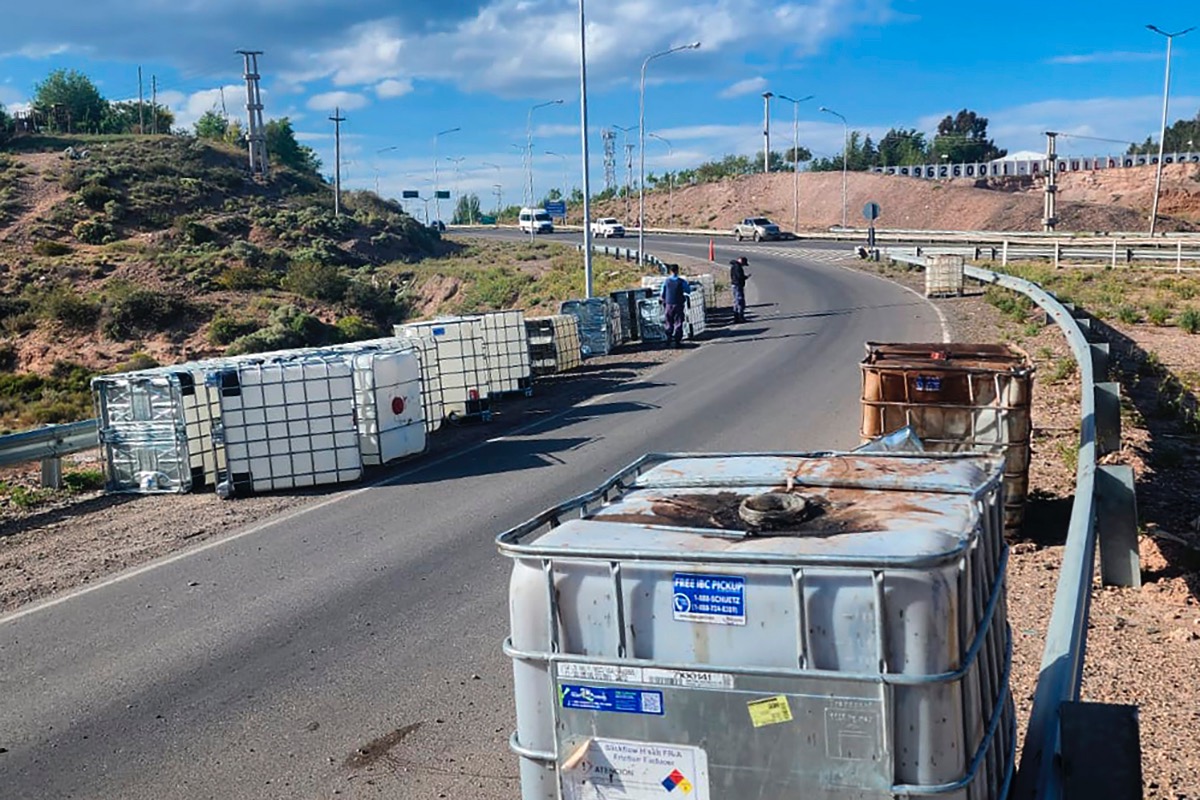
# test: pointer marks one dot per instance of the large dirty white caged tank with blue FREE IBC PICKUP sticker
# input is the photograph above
(820, 627)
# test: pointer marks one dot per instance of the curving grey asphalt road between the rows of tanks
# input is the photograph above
(353, 649)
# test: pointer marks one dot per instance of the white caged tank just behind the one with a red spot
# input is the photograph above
(461, 356)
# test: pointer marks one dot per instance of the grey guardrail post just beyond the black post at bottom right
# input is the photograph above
(1117, 519)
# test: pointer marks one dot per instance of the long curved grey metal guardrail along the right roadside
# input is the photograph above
(1041, 774)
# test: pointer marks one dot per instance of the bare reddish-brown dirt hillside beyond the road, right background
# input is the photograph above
(1102, 202)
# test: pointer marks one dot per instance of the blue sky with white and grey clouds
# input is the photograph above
(401, 71)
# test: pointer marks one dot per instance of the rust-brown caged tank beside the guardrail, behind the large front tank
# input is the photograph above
(957, 399)
